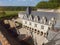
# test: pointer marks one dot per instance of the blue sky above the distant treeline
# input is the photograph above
(18, 2)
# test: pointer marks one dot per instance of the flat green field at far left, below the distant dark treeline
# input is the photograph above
(8, 13)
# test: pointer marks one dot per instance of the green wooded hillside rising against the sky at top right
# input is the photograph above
(51, 4)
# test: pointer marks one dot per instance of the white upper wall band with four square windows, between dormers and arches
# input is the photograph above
(38, 25)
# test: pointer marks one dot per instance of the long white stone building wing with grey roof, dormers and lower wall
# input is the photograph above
(40, 23)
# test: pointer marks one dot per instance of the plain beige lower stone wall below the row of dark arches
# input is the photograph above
(38, 39)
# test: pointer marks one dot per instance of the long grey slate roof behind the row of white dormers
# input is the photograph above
(49, 15)
